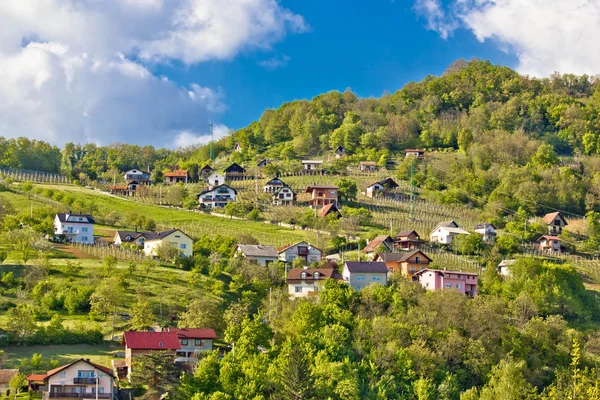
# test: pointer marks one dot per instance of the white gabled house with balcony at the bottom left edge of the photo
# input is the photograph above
(81, 379)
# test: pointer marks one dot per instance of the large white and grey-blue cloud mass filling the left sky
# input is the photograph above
(73, 70)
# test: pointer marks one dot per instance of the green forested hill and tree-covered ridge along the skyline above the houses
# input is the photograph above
(509, 131)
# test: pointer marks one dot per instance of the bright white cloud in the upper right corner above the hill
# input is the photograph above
(545, 35)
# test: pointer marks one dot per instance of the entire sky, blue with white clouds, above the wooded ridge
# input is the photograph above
(158, 71)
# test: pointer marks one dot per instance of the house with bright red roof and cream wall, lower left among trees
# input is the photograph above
(140, 343)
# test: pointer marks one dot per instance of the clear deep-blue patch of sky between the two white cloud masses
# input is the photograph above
(368, 48)
